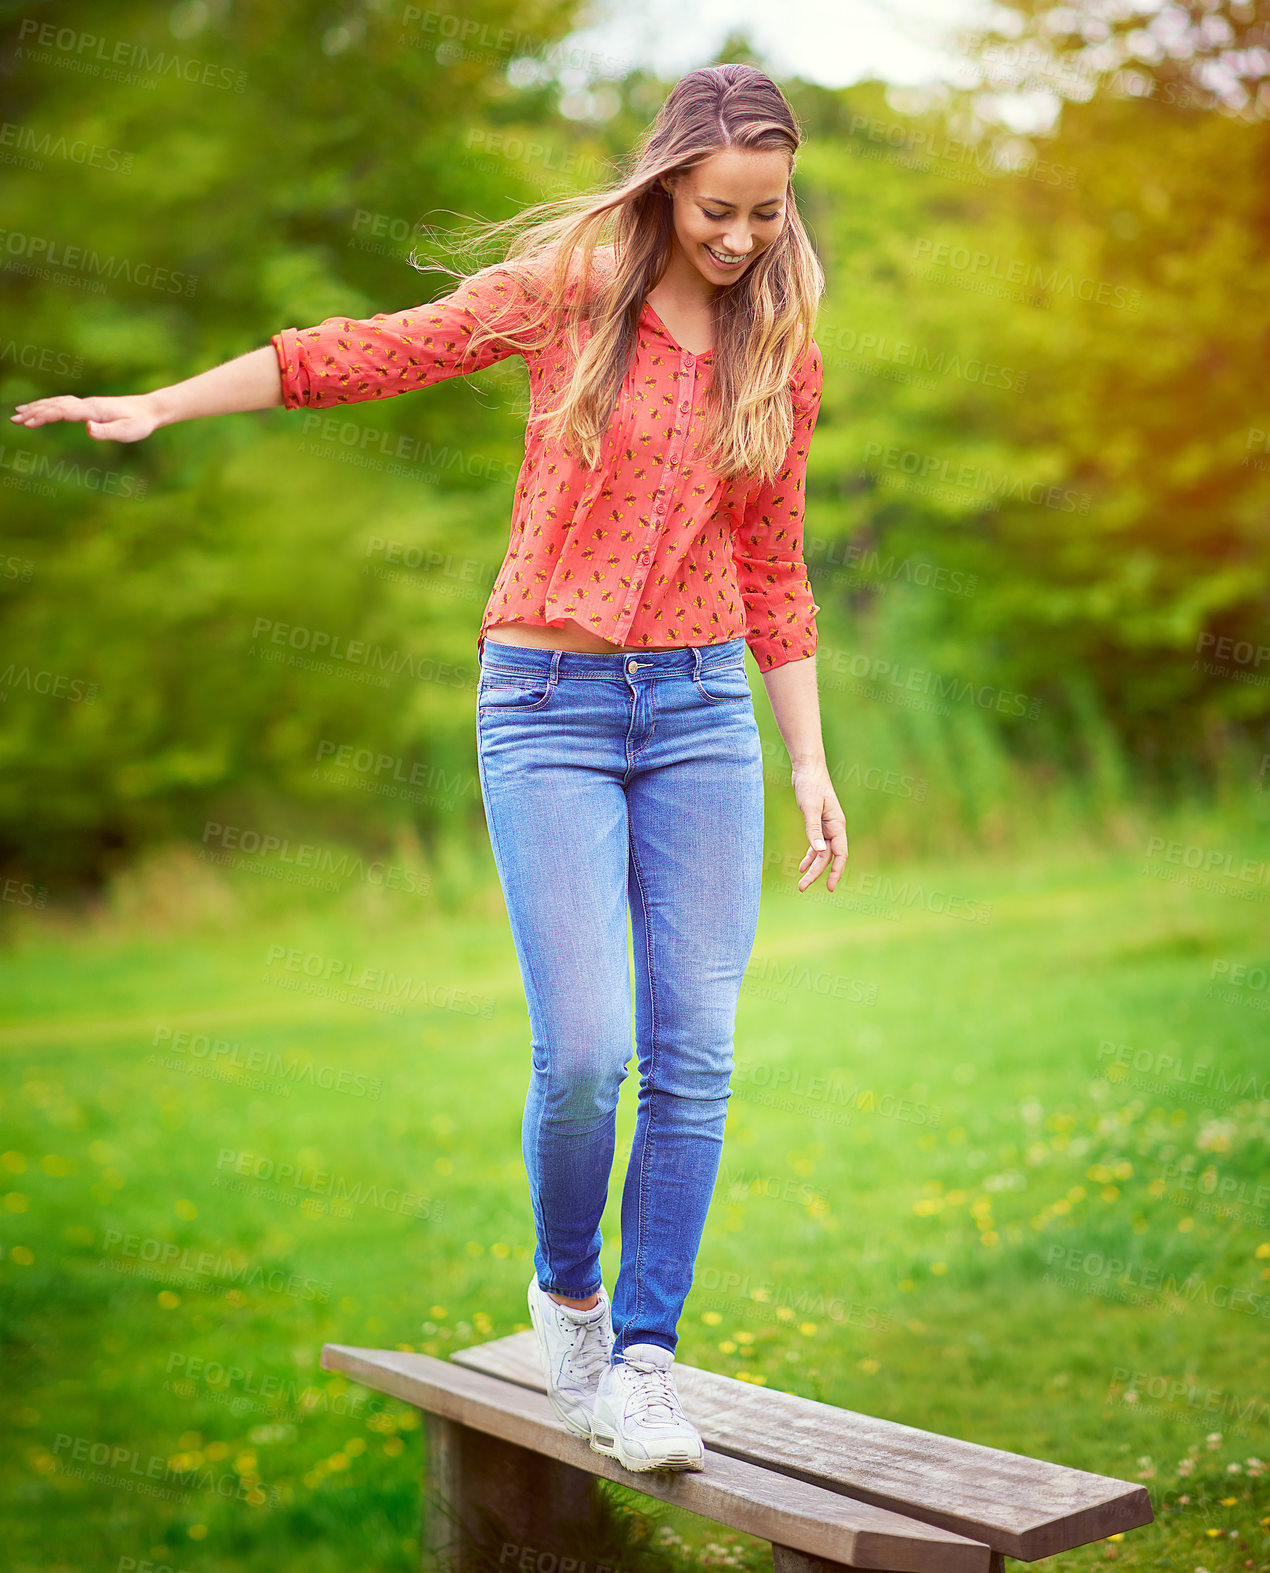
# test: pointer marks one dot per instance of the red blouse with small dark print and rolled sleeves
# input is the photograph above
(652, 547)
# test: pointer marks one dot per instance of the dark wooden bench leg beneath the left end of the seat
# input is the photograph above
(484, 1495)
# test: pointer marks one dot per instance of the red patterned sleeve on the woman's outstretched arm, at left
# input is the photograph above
(347, 361)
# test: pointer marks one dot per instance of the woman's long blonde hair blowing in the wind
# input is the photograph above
(762, 323)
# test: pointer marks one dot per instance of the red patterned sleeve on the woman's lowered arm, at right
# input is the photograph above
(769, 545)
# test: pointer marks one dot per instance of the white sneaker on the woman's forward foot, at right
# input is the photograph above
(638, 1418)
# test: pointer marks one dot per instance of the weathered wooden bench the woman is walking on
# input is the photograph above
(827, 1487)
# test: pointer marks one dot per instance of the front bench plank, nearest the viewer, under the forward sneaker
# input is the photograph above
(731, 1490)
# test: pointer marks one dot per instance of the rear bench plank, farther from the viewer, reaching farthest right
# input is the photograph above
(1019, 1506)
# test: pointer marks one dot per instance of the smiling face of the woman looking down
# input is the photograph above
(729, 210)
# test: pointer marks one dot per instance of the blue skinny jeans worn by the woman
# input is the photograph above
(618, 781)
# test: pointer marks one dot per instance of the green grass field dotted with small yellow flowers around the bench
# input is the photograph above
(995, 1166)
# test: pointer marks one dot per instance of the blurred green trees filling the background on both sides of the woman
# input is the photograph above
(1036, 481)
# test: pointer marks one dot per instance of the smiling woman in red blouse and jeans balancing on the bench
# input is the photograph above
(657, 531)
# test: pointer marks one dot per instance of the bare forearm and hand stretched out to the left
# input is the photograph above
(251, 381)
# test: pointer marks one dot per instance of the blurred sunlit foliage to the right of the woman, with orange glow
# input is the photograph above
(961, 397)
